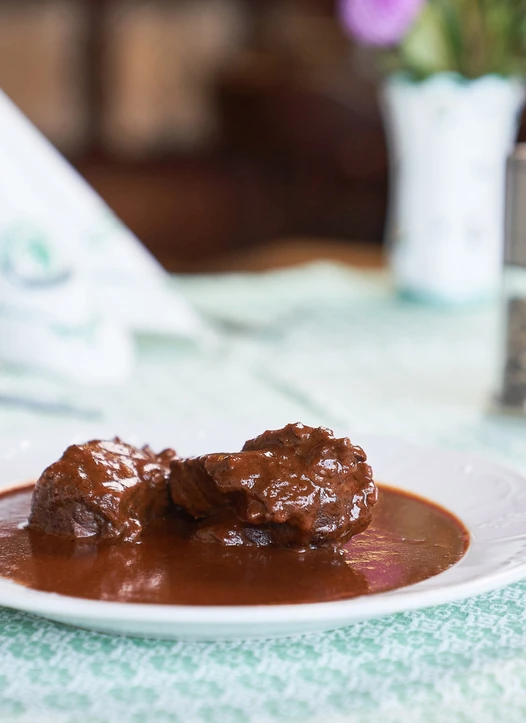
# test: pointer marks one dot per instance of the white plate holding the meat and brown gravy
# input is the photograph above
(490, 500)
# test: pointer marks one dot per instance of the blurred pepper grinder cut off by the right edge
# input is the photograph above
(512, 395)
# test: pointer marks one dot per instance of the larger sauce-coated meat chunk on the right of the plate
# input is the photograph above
(297, 486)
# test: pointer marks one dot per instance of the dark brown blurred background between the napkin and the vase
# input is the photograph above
(228, 134)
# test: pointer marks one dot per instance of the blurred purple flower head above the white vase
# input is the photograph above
(379, 22)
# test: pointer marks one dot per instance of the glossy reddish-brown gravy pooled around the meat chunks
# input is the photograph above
(409, 540)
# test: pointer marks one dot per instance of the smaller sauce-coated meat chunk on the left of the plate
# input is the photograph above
(104, 488)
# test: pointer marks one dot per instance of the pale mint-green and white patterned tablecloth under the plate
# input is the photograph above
(322, 345)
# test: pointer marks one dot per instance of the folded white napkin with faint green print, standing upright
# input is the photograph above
(75, 283)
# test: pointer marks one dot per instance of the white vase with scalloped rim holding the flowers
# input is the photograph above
(448, 139)
